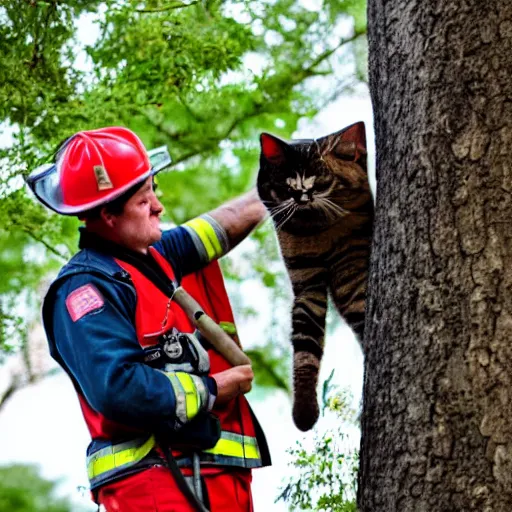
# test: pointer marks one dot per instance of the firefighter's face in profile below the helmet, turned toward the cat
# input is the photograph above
(138, 226)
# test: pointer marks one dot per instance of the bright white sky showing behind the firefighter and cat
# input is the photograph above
(43, 424)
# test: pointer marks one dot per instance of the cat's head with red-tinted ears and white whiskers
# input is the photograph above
(317, 180)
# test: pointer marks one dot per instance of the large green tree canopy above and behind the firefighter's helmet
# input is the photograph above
(203, 77)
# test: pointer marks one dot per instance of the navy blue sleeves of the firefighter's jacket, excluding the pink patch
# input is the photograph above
(100, 350)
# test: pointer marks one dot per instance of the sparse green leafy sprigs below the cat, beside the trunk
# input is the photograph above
(325, 476)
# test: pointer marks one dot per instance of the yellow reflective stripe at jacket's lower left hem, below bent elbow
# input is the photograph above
(117, 456)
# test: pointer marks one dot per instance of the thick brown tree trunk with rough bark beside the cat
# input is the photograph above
(437, 416)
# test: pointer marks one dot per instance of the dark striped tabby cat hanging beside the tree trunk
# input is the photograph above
(318, 195)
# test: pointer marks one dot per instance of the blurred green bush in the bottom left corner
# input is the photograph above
(22, 489)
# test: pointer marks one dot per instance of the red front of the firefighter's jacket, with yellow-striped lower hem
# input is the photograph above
(156, 314)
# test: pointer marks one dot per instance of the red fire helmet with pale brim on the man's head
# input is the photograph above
(93, 168)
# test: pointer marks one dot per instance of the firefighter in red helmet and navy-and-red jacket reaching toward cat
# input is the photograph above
(171, 429)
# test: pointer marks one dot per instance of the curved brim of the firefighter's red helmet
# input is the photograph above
(44, 183)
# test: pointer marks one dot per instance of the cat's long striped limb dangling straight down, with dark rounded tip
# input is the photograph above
(308, 323)
